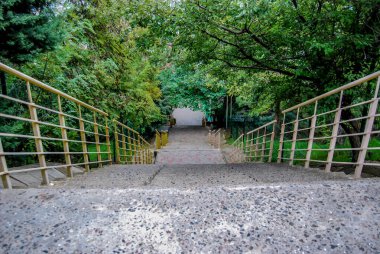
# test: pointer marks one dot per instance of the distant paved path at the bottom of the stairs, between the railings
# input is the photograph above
(189, 145)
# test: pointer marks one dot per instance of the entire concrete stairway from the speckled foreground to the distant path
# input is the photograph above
(193, 203)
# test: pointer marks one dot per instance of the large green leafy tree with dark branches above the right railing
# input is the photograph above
(311, 46)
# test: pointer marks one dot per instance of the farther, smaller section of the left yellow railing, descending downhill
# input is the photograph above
(131, 147)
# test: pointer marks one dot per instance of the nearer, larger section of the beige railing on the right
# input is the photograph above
(321, 129)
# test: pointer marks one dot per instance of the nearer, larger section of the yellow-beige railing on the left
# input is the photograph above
(99, 123)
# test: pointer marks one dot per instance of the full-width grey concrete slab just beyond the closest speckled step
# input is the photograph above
(194, 176)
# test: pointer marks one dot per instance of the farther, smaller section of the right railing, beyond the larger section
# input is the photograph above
(259, 143)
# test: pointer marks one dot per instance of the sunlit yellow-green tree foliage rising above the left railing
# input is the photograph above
(104, 63)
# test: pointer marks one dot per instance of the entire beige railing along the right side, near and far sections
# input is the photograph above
(318, 131)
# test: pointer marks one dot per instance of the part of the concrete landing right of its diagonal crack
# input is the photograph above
(233, 175)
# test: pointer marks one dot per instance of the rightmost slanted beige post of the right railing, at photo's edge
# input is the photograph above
(367, 132)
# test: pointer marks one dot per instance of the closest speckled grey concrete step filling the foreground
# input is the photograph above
(328, 217)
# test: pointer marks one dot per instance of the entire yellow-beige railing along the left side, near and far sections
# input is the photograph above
(79, 132)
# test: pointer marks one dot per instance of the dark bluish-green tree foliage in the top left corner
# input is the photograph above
(28, 27)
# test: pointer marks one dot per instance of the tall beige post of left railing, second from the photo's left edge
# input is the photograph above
(37, 137)
